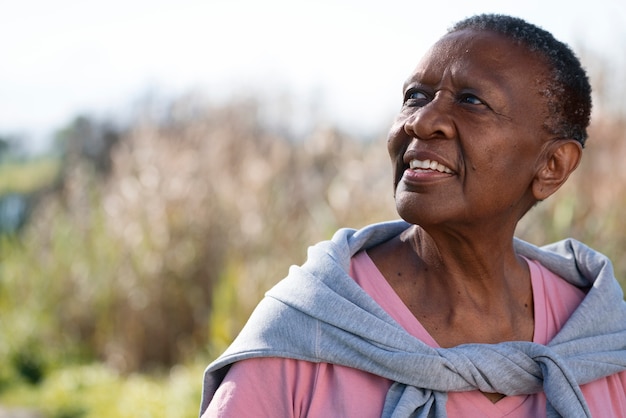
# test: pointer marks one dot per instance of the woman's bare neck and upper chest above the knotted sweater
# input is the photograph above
(465, 284)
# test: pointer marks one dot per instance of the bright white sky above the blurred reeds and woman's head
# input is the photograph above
(347, 57)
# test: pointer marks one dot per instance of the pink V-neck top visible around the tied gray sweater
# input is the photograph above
(276, 387)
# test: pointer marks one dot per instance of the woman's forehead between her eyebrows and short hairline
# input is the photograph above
(471, 56)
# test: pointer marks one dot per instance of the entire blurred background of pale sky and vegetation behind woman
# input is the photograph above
(163, 163)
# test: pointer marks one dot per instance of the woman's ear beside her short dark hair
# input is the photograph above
(560, 159)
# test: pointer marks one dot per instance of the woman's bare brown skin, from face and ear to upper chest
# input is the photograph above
(471, 156)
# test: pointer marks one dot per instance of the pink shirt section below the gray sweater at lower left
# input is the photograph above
(293, 388)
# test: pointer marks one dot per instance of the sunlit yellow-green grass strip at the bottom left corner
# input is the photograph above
(95, 391)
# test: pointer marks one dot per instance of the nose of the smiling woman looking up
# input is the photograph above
(432, 121)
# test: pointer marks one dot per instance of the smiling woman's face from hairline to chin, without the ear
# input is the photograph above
(467, 142)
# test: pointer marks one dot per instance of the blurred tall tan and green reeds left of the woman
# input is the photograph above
(141, 268)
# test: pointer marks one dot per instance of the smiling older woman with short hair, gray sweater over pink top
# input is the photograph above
(446, 313)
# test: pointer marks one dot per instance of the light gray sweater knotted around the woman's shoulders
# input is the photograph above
(319, 314)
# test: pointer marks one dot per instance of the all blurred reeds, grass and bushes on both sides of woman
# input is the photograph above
(142, 248)
